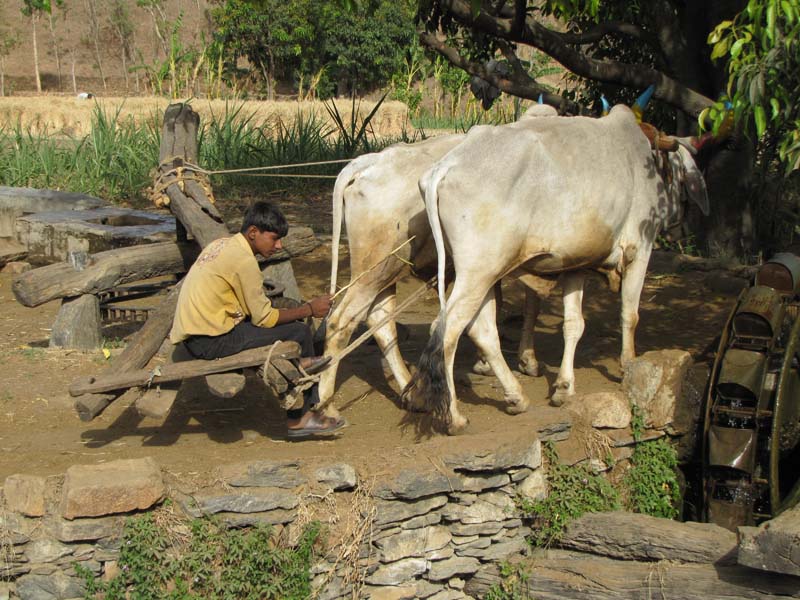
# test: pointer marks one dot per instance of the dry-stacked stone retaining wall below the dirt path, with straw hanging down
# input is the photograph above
(422, 533)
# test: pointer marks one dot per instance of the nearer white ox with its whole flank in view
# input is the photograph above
(569, 194)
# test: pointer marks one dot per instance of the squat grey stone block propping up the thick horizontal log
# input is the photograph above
(77, 324)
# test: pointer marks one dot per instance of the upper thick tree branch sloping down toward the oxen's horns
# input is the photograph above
(554, 45)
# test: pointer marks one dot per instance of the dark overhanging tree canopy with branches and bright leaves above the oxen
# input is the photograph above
(620, 47)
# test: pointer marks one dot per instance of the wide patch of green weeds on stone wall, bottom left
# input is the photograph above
(205, 561)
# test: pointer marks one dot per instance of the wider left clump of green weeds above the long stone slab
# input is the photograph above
(573, 491)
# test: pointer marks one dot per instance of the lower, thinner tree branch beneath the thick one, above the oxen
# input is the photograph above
(520, 84)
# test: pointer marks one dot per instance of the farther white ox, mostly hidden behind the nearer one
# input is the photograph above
(378, 196)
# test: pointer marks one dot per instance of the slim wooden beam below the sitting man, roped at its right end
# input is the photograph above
(179, 371)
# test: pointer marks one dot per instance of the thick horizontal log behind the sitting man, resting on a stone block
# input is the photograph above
(105, 270)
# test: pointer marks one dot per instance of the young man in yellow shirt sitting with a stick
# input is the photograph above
(222, 309)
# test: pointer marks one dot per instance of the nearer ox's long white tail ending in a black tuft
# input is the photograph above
(428, 389)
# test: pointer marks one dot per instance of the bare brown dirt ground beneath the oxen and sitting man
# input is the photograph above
(40, 432)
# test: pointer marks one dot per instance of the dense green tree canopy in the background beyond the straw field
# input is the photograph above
(337, 49)
